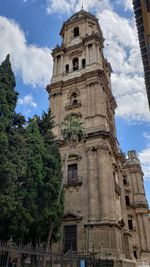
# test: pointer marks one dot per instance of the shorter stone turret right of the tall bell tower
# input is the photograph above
(137, 207)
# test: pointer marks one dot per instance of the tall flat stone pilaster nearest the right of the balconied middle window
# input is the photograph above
(91, 185)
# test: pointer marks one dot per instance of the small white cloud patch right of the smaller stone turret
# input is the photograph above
(144, 157)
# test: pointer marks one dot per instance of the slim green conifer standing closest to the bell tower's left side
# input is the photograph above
(53, 177)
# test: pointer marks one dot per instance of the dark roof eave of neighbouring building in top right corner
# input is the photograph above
(142, 16)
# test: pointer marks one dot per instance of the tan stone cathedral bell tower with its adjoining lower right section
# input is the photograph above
(96, 200)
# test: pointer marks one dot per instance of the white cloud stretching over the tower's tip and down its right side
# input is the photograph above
(122, 51)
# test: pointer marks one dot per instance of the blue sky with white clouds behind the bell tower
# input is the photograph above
(29, 30)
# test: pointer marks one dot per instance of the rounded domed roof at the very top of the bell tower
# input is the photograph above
(77, 16)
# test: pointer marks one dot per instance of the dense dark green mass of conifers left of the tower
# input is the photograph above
(30, 170)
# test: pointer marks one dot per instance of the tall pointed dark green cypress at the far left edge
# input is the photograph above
(8, 99)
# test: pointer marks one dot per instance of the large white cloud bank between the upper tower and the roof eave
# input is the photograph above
(122, 51)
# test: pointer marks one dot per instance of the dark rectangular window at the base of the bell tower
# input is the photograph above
(70, 238)
